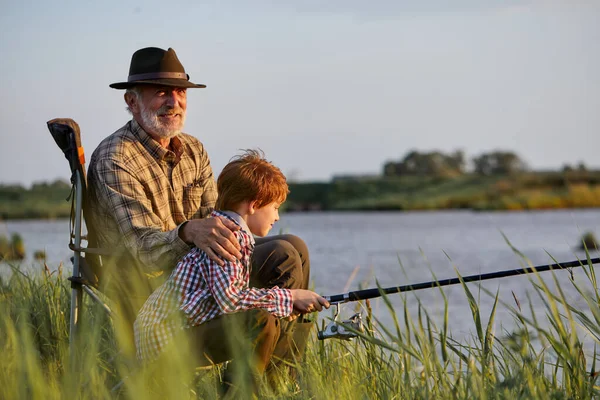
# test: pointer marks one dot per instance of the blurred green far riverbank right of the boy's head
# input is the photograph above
(526, 191)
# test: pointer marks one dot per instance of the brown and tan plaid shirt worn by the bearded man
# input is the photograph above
(141, 193)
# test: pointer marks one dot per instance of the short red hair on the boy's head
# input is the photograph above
(249, 177)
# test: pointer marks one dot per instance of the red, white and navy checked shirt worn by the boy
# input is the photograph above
(199, 290)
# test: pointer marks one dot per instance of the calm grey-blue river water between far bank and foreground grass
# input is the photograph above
(352, 249)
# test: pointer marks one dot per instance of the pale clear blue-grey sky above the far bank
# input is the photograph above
(324, 87)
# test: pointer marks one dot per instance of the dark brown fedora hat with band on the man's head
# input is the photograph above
(155, 66)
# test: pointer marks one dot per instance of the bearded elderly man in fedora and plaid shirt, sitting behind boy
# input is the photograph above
(151, 187)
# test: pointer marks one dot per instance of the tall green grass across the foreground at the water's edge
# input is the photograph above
(414, 357)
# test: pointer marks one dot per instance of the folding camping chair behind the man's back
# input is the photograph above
(86, 270)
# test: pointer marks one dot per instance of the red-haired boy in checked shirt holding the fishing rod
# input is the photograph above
(205, 300)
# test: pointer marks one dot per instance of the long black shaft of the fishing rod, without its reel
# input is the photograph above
(377, 292)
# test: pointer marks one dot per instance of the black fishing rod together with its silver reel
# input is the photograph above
(334, 329)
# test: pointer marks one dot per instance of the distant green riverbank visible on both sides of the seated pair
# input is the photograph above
(525, 191)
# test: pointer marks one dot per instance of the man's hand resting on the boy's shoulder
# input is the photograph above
(214, 236)
